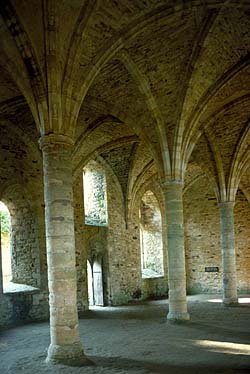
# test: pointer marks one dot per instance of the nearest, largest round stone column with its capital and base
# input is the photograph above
(65, 346)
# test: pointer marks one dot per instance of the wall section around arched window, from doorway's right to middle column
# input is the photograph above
(126, 281)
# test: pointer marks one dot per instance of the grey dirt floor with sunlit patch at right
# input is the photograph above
(136, 339)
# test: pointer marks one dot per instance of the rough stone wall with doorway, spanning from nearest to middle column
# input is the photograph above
(118, 245)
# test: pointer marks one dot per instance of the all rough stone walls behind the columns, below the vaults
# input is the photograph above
(117, 244)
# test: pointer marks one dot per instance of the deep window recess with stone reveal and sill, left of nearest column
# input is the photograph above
(19, 260)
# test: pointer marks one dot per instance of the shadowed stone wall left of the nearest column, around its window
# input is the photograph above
(21, 189)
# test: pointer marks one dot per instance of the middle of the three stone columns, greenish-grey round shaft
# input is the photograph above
(176, 252)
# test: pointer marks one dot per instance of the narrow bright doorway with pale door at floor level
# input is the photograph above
(95, 283)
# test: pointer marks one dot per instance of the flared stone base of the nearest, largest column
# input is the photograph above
(70, 355)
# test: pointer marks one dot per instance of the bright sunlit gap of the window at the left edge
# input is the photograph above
(5, 243)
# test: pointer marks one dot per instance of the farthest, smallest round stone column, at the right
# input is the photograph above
(228, 253)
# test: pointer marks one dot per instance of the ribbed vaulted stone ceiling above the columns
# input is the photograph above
(170, 75)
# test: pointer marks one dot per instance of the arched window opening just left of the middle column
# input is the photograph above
(152, 265)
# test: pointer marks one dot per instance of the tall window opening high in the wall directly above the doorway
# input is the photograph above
(95, 195)
